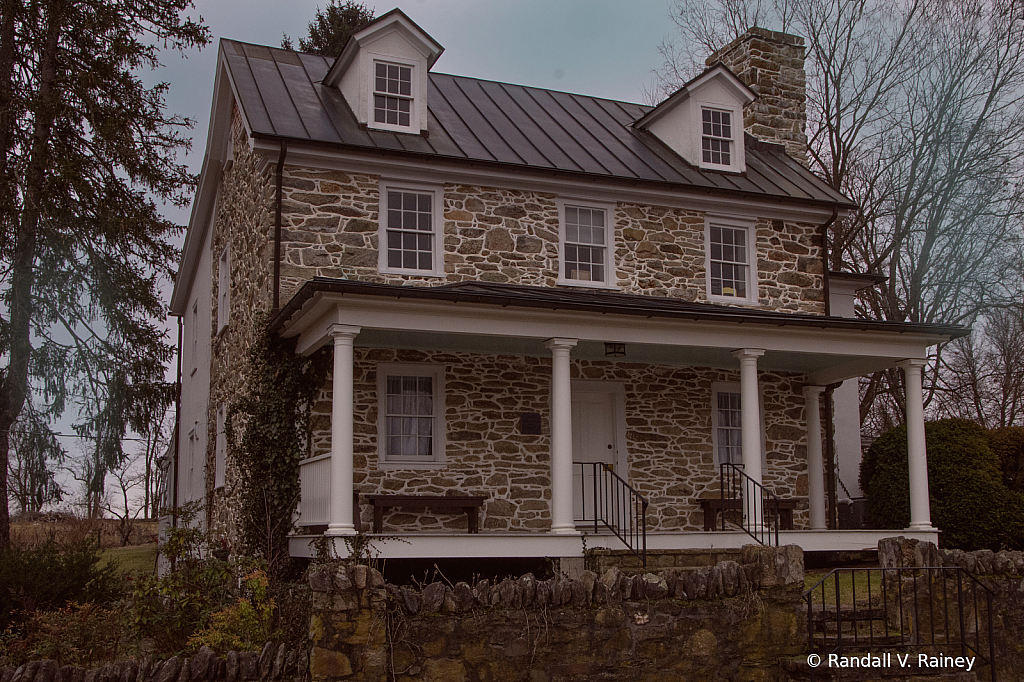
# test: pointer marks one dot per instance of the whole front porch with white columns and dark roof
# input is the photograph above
(527, 388)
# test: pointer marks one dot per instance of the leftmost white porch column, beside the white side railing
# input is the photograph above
(342, 523)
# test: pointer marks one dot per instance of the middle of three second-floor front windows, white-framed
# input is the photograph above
(587, 247)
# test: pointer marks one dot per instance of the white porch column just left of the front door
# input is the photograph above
(562, 437)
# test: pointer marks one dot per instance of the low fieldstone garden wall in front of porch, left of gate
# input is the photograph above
(730, 622)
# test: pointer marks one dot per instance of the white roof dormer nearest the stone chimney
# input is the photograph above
(703, 121)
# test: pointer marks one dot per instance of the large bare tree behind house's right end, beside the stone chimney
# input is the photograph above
(915, 111)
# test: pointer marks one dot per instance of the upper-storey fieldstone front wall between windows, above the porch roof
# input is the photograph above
(506, 236)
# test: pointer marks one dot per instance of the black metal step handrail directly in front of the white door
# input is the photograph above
(616, 504)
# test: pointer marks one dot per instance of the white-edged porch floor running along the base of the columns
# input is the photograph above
(462, 545)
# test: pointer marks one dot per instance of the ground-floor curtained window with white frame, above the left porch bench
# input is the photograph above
(411, 429)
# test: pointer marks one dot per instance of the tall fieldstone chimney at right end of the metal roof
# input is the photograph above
(773, 65)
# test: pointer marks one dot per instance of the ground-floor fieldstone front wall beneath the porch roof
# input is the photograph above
(668, 430)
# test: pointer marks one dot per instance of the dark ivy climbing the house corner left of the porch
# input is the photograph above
(269, 435)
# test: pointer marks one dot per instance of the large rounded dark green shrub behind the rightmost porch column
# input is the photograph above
(969, 503)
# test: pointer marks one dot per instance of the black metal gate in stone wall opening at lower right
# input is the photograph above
(902, 612)
